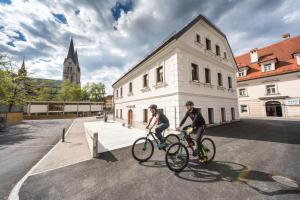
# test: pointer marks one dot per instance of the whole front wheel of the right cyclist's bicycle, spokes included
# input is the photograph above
(177, 157)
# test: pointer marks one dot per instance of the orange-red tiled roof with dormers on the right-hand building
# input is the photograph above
(282, 51)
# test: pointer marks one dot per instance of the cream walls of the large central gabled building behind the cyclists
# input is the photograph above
(171, 96)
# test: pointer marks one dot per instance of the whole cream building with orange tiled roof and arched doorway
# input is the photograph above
(269, 80)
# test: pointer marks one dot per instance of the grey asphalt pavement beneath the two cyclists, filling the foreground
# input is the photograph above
(250, 155)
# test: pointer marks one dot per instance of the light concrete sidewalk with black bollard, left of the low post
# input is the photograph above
(73, 150)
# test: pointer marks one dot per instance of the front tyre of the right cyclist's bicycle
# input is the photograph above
(177, 146)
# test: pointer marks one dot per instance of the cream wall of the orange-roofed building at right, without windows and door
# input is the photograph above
(287, 87)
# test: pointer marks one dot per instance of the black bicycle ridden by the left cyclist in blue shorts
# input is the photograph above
(143, 148)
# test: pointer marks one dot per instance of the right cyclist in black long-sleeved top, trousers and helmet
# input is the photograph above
(198, 124)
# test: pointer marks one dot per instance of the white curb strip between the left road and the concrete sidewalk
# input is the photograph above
(14, 194)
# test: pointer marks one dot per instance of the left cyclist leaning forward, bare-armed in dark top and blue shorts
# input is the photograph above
(162, 123)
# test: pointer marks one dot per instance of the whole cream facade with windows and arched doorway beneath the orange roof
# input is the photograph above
(272, 96)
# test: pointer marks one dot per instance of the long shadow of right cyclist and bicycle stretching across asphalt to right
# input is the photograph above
(233, 172)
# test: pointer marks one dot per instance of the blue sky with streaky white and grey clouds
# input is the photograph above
(111, 36)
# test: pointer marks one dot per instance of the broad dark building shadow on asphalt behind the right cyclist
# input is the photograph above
(264, 130)
